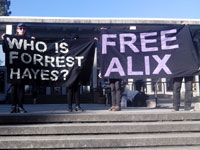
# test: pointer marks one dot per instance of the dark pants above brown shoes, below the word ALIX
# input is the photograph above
(115, 85)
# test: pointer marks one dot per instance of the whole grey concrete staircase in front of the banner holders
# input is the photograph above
(140, 130)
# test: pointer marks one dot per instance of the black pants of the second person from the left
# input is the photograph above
(73, 92)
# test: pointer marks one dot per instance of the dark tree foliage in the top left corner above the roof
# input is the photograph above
(4, 8)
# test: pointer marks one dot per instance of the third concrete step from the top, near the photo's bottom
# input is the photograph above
(99, 141)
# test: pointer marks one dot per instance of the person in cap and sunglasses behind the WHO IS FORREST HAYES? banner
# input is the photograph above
(17, 94)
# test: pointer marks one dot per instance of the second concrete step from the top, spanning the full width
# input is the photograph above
(100, 128)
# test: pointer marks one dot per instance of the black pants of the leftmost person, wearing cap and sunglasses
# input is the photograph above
(17, 95)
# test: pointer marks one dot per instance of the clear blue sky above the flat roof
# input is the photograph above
(181, 9)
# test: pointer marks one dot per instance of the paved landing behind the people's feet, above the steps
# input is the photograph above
(164, 105)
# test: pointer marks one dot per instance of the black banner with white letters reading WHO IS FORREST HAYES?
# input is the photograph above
(59, 63)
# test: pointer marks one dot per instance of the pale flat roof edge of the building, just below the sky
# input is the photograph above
(16, 19)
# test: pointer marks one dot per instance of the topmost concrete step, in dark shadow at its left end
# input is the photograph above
(122, 116)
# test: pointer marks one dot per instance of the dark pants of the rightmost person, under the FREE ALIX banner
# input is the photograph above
(188, 92)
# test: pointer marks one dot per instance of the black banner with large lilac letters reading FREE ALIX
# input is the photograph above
(165, 52)
